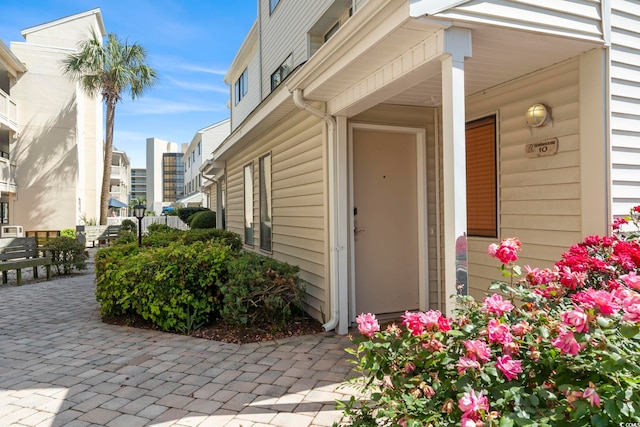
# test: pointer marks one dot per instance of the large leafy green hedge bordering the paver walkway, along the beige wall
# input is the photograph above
(180, 280)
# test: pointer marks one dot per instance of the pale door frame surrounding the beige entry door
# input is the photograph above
(421, 174)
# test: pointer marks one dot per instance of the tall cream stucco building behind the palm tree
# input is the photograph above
(50, 130)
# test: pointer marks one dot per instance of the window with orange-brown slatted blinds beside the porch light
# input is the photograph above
(482, 197)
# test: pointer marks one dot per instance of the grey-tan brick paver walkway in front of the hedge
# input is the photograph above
(61, 366)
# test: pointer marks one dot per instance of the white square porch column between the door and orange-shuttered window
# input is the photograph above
(457, 47)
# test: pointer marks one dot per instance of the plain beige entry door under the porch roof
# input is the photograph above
(385, 221)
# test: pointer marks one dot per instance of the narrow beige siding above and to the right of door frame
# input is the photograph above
(422, 117)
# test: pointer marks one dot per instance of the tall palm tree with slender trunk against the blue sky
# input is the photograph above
(109, 70)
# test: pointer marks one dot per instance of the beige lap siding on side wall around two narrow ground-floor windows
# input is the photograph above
(298, 199)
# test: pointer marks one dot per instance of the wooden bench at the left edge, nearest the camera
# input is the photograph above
(17, 253)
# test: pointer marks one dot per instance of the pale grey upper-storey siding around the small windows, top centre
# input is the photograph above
(285, 32)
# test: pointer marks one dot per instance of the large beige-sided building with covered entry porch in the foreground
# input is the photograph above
(382, 145)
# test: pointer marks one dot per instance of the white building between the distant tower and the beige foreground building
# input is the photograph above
(202, 145)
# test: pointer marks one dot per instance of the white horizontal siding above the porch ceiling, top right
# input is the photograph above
(572, 18)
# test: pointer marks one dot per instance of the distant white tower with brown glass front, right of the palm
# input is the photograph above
(165, 173)
